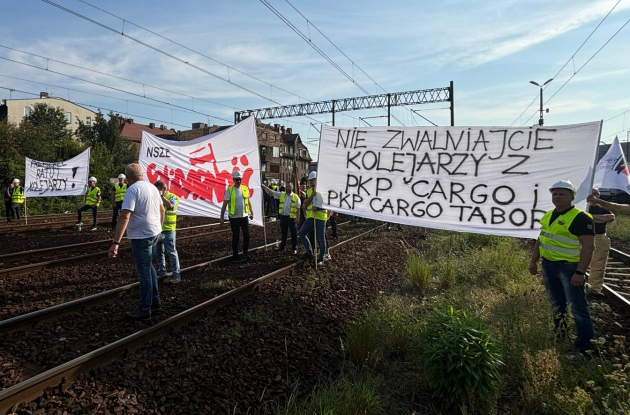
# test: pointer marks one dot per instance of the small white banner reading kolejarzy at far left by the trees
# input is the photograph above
(62, 178)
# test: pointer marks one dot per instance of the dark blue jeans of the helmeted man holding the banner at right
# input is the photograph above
(557, 276)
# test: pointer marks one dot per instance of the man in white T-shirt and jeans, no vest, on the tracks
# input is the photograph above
(142, 216)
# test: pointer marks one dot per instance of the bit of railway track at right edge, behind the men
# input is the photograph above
(617, 279)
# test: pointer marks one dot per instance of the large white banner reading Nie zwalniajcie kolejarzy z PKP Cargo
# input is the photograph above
(491, 180)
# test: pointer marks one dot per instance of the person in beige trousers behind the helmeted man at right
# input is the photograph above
(601, 217)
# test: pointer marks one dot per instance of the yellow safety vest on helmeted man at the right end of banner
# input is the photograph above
(556, 243)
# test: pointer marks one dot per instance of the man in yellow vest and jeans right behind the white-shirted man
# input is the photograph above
(167, 239)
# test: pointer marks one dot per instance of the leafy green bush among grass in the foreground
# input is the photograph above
(461, 362)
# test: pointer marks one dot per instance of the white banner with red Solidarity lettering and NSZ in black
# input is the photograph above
(199, 171)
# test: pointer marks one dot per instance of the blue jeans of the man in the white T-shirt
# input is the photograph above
(143, 251)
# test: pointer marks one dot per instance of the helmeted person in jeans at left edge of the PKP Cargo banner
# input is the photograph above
(316, 217)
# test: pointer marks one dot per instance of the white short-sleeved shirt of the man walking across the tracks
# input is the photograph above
(143, 200)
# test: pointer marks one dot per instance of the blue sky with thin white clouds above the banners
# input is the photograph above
(238, 54)
